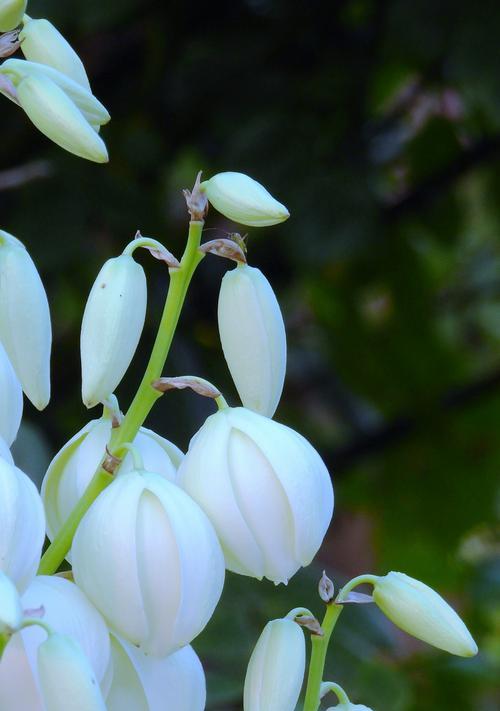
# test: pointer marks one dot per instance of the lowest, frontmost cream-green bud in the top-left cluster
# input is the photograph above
(58, 118)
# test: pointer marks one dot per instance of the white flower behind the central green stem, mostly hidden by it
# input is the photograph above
(74, 465)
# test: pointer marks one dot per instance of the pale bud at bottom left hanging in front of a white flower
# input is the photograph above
(66, 677)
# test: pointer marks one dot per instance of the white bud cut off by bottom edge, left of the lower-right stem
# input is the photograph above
(276, 668)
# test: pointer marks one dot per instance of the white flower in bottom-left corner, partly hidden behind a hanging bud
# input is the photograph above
(68, 612)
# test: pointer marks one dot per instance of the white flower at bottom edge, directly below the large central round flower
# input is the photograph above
(145, 683)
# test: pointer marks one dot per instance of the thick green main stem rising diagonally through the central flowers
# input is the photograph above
(143, 401)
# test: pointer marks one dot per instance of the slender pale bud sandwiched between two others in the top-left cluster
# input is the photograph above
(92, 109)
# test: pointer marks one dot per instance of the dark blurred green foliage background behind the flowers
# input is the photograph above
(378, 125)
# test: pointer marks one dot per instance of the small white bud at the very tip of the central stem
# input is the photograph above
(244, 200)
